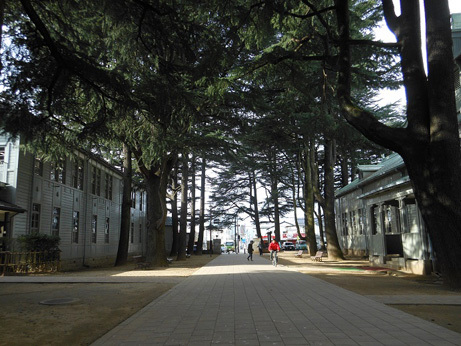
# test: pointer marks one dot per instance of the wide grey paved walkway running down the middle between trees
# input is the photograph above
(234, 301)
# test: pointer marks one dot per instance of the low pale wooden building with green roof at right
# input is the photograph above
(377, 216)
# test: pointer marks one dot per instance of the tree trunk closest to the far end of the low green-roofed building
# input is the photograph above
(334, 250)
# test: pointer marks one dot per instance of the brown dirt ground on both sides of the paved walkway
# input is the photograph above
(98, 307)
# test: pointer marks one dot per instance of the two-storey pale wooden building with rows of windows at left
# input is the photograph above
(78, 199)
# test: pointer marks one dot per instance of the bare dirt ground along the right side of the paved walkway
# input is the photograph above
(357, 276)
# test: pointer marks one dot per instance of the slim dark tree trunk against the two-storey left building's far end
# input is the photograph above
(122, 252)
